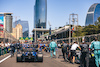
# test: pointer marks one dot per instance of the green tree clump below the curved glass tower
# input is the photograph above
(87, 30)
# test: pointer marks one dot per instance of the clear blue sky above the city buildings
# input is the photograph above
(57, 11)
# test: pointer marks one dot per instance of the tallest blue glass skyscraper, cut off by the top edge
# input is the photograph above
(40, 14)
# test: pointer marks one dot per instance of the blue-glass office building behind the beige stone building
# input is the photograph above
(25, 27)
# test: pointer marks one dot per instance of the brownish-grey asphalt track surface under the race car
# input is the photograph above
(47, 62)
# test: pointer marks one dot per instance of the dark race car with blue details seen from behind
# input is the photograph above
(29, 54)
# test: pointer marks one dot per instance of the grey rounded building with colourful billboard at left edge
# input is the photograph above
(6, 21)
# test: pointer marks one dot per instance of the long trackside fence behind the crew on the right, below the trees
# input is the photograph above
(87, 38)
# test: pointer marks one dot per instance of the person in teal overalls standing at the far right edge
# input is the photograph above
(96, 46)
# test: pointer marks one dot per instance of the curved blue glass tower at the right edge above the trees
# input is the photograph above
(93, 14)
